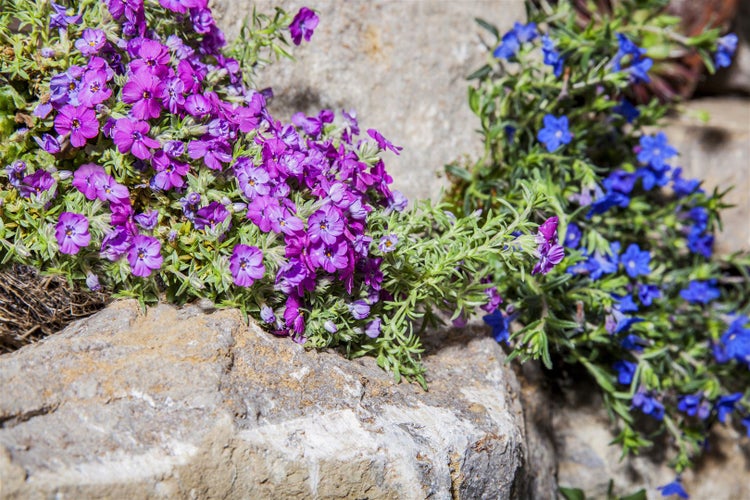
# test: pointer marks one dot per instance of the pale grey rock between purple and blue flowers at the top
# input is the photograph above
(401, 65)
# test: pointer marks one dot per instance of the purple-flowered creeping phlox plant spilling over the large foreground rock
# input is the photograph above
(138, 157)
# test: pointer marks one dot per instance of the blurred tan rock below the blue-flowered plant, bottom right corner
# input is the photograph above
(586, 460)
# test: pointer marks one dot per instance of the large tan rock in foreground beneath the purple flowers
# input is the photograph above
(193, 403)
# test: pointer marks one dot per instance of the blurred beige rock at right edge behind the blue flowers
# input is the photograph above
(718, 152)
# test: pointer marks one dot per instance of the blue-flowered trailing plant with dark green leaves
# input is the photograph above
(637, 298)
